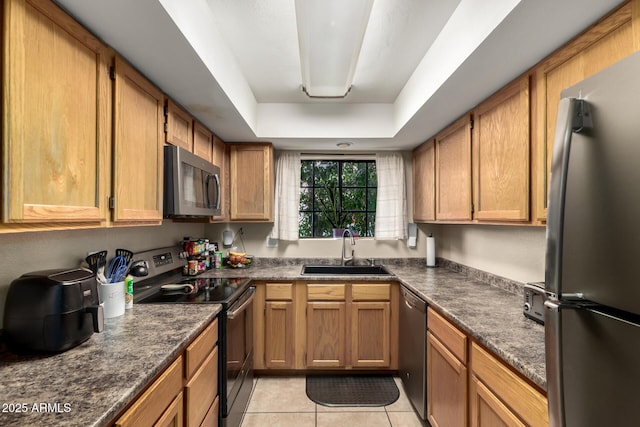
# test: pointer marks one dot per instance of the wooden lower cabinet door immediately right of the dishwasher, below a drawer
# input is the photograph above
(447, 386)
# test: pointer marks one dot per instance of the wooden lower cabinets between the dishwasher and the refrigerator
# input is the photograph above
(467, 385)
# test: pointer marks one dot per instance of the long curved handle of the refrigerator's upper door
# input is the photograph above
(574, 115)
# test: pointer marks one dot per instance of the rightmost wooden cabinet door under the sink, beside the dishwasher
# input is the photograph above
(370, 332)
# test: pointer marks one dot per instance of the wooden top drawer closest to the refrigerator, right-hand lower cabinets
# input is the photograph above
(529, 404)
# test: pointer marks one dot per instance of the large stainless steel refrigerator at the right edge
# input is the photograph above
(592, 319)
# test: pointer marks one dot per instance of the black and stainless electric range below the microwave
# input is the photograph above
(165, 284)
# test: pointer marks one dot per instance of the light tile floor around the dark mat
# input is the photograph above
(283, 402)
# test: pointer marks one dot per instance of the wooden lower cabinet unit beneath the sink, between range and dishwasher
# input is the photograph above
(323, 325)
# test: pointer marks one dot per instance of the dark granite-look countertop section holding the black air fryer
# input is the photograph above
(91, 383)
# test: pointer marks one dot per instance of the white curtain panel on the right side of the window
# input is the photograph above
(391, 204)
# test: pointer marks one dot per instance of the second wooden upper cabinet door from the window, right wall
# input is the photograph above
(453, 172)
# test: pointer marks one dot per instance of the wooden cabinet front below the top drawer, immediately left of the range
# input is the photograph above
(201, 390)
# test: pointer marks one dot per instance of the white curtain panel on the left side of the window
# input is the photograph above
(287, 196)
